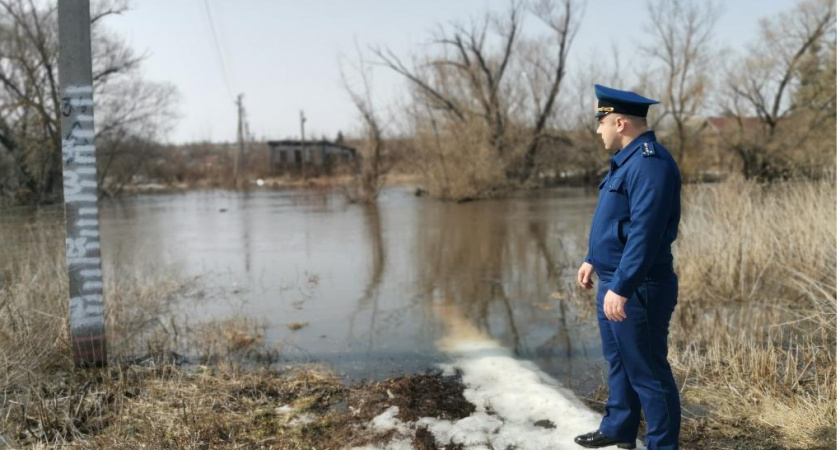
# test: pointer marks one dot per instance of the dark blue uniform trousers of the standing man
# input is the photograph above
(639, 374)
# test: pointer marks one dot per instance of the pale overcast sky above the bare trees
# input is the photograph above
(283, 55)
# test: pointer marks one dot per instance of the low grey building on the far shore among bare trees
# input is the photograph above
(289, 155)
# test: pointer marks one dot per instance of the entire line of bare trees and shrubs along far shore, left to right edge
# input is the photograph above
(491, 104)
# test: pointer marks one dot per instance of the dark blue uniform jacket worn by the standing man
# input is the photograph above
(637, 216)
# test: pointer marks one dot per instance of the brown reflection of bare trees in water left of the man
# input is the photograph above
(475, 259)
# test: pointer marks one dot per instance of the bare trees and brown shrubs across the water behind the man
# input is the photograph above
(490, 107)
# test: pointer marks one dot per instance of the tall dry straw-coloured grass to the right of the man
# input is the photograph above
(754, 336)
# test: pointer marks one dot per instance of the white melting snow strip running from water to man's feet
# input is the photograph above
(510, 395)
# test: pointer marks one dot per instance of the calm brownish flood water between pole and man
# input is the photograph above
(374, 284)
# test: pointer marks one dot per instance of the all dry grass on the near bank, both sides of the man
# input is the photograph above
(753, 347)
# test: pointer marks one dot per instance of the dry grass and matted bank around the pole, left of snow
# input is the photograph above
(151, 397)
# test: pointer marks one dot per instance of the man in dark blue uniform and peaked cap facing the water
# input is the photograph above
(630, 240)
